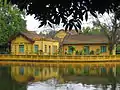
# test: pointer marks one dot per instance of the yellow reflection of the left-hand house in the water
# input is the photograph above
(28, 73)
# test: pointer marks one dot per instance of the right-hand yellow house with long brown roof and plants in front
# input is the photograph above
(81, 44)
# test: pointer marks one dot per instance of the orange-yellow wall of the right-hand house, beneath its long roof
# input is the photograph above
(91, 47)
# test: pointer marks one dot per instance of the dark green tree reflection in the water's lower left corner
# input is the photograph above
(7, 83)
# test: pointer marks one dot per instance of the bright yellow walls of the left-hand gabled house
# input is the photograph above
(29, 47)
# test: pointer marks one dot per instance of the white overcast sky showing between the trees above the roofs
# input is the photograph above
(32, 24)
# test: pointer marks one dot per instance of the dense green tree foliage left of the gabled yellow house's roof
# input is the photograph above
(11, 22)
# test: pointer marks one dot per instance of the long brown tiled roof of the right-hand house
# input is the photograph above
(85, 39)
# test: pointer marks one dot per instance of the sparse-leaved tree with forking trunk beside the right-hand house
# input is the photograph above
(110, 30)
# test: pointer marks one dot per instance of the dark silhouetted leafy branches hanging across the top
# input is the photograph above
(48, 12)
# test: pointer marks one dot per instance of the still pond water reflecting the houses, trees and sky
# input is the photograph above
(80, 76)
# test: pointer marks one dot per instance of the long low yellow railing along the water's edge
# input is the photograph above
(60, 58)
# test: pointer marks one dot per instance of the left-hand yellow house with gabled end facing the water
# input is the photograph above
(30, 42)
